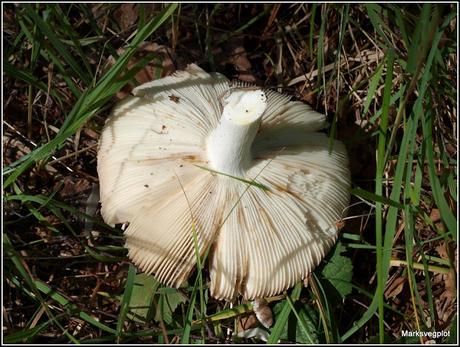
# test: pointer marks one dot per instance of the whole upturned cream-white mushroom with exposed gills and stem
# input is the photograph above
(191, 159)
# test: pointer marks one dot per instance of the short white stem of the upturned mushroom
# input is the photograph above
(229, 144)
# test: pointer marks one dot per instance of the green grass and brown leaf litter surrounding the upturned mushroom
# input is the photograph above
(385, 75)
